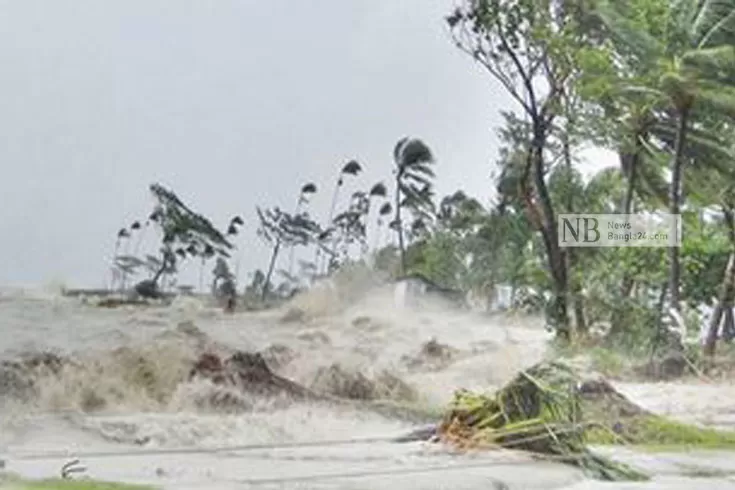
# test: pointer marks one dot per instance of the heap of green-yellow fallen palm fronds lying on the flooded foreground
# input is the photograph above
(539, 411)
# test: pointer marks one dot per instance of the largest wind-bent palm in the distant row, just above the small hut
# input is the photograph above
(413, 174)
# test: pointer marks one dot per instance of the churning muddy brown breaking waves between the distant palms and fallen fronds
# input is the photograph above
(191, 375)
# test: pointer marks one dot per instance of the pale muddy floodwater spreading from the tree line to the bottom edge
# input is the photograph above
(126, 414)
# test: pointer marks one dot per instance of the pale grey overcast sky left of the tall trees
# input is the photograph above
(231, 103)
